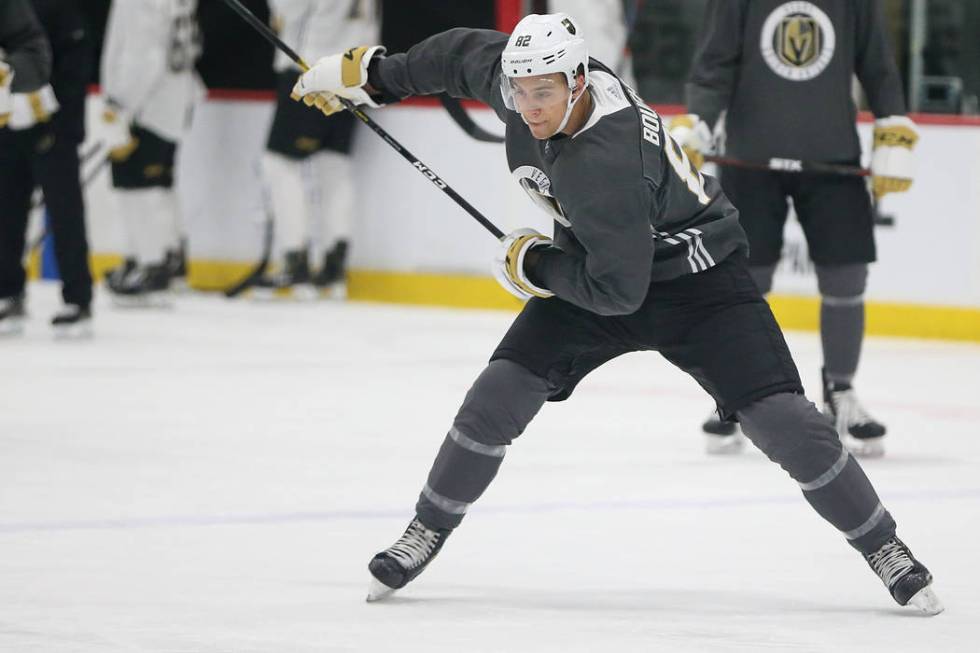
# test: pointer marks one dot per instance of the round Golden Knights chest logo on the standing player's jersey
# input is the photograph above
(798, 41)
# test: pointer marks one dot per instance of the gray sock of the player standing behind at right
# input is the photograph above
(842, 318)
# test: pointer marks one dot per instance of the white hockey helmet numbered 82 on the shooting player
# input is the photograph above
(544, 44)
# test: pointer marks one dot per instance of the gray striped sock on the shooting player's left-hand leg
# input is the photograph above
(499, 405)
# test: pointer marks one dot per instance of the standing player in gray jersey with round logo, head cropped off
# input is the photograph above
(782, 72)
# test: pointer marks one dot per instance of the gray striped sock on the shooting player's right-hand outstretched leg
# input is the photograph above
(790, 430)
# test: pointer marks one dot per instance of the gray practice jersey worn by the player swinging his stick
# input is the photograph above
(628, 206)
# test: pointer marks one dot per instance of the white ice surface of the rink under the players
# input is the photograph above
(216, 478)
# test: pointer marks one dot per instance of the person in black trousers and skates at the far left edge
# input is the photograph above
(39, 147)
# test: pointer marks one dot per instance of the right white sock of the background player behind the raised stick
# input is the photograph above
(334, 175)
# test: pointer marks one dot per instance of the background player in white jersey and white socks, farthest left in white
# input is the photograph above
(150, 86)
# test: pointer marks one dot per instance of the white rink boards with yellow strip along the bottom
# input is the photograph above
(412, 244)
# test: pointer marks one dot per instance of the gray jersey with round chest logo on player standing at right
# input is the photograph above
(783, 71)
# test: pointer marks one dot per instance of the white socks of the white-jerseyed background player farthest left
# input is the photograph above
(148, 219)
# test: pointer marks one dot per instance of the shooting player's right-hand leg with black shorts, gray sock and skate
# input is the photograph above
(739, 355)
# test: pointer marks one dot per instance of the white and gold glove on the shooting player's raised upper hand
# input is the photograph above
(342, 75)
